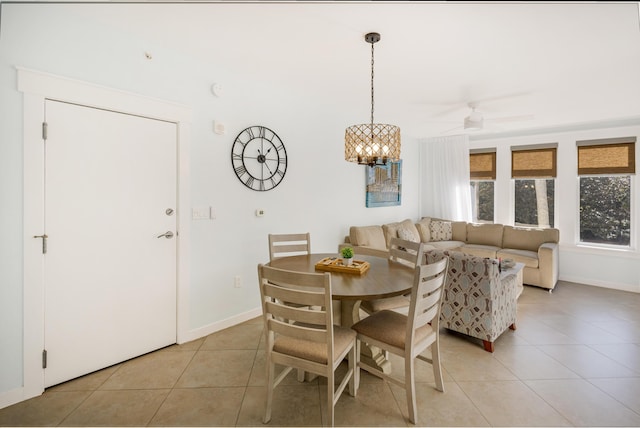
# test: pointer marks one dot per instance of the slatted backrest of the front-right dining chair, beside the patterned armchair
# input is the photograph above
(426, 298)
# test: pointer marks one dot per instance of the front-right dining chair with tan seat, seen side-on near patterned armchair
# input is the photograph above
(409, 335)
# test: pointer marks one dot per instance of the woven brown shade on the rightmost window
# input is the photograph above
(607, 159)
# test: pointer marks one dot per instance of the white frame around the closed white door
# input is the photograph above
(36, 87)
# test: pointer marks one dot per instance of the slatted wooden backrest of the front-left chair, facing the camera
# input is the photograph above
(283, 293)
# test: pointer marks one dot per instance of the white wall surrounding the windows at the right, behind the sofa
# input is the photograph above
(580, 263)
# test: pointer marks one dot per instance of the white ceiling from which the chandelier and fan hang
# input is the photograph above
(563, 63)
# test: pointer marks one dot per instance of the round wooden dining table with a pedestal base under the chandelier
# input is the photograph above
(384, 278)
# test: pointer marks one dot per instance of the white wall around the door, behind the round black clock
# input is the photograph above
(321, 193)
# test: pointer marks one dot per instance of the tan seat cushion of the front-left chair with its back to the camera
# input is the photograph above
(315, 351)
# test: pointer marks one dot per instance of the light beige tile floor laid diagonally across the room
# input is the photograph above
(573, 361)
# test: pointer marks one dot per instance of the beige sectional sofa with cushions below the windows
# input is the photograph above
(536, 248)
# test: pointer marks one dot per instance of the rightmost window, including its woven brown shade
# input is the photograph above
(605, 168)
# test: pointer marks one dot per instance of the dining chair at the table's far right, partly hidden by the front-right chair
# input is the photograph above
(400, 251)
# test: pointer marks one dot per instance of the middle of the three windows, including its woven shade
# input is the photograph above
(533, 170)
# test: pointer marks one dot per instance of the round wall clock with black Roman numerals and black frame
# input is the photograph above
(259, 158)
